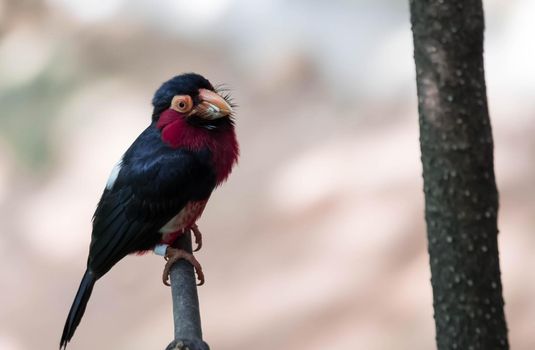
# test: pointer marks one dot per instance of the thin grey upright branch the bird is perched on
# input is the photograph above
(186, 313)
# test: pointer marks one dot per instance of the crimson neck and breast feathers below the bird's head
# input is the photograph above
(221, 142)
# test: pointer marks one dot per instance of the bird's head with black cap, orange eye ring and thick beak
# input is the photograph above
(191, 98)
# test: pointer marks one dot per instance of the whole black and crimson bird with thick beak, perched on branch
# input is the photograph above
(160, 186)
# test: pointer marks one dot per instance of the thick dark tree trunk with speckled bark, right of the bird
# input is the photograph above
(461, 199)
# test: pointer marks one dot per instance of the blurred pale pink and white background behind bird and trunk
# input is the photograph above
(318, 239)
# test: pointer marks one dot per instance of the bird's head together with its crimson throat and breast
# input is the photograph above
(191, 113)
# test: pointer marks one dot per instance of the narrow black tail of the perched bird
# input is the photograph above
(78, 307)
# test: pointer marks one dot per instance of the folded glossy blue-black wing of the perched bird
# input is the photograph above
(144, 196)
